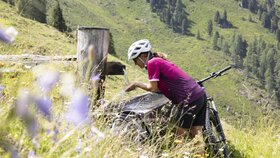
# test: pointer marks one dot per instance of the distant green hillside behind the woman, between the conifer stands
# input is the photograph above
(194, 56)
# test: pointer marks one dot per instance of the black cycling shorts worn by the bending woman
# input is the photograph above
(192, 114)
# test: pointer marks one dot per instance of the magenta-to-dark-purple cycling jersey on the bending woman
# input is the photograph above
(173, 82)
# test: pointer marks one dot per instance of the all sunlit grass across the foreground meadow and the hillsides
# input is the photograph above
(250, 133)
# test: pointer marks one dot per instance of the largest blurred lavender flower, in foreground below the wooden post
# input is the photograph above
(78, 110)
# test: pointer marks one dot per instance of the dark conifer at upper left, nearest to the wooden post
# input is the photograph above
(56, 18)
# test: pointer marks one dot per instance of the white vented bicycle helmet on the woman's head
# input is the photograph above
(138, 47)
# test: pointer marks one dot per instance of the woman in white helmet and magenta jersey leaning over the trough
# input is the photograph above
(176, 85)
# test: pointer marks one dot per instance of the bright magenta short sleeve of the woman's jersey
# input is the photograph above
(154, 70)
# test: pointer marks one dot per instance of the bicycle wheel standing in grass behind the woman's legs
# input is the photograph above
(215, 138)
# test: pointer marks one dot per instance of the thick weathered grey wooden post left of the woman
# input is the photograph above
(92, 50)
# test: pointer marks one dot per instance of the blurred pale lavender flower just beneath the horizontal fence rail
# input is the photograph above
(47, 80)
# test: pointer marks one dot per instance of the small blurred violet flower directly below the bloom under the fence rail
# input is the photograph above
(44, 104)
